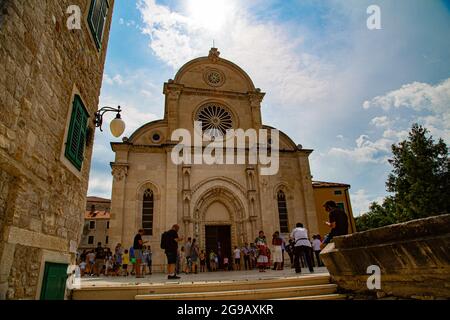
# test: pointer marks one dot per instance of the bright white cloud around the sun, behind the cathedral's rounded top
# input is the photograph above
(296, 76)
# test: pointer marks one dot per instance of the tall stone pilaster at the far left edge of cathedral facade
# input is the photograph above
(117, 223)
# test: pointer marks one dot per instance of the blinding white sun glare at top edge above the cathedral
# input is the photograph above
(209, 14)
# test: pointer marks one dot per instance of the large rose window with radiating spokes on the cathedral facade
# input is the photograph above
(216, 120)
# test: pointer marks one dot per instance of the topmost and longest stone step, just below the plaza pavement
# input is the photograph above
(130, 291)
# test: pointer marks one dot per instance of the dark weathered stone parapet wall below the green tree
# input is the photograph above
(414, 259)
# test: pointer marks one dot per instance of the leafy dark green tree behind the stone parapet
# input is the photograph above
(419, 182)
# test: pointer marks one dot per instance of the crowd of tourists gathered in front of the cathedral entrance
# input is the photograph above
(188, 258)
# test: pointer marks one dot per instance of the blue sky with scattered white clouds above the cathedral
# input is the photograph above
(331, 83)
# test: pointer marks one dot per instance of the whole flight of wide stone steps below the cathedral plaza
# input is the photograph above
(305, 287)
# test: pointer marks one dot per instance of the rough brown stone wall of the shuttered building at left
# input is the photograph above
(42, 198)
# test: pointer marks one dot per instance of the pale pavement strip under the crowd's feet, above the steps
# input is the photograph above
(217, 276)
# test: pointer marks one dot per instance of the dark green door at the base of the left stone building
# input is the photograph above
(54, 282)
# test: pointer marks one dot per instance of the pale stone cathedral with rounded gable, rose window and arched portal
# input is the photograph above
(221, 205)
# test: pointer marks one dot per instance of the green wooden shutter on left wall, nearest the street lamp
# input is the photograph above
(76, 139)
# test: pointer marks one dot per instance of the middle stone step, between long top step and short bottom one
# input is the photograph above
(255, 294)
